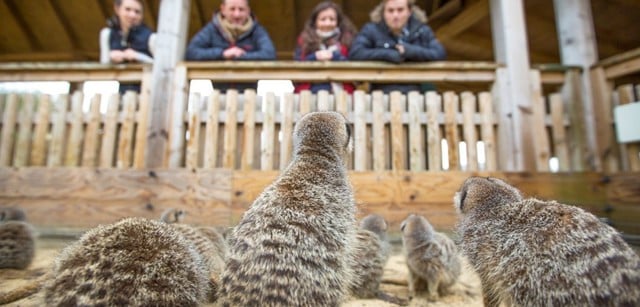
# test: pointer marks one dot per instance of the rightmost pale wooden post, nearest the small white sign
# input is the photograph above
(577, 43)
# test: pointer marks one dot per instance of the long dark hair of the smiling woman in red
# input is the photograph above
(309, 38)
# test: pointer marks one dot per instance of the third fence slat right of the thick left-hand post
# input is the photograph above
(230, 130)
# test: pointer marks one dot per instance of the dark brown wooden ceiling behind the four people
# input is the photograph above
(63, 30)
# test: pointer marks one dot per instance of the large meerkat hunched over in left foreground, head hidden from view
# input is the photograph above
(135, 261)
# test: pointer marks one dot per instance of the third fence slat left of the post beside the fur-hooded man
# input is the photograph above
(451, 102)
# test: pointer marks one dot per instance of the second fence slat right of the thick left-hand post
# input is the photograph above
(211, 140)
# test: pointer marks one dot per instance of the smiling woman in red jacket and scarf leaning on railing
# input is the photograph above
(327, 36)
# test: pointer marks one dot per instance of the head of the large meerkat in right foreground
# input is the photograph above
(477, 191)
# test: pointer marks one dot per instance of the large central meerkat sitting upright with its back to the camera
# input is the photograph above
(290, 248)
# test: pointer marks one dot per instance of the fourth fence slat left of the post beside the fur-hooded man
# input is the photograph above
(434, 136)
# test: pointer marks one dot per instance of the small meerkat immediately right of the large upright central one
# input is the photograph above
(370, 254)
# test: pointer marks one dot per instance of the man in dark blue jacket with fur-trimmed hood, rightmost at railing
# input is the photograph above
(397, 33)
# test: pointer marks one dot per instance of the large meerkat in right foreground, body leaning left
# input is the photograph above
(530, 252)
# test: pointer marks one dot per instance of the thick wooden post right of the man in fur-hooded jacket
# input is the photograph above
(512, 89)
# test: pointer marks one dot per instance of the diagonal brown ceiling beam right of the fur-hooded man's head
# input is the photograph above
(470, 16)
